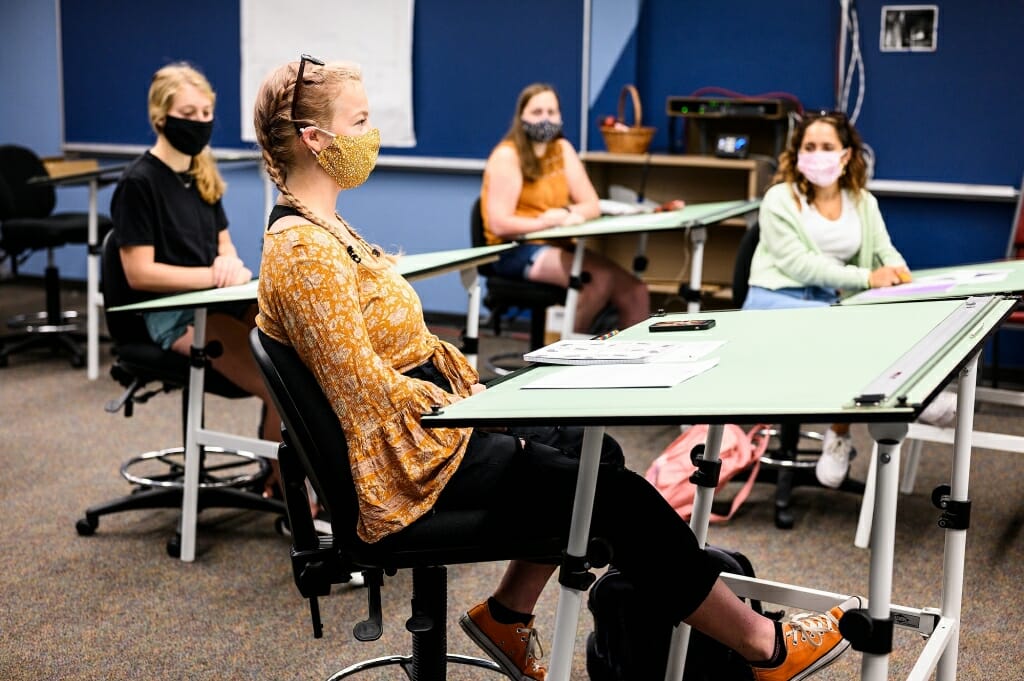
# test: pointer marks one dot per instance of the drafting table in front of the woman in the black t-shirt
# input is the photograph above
(413, 268)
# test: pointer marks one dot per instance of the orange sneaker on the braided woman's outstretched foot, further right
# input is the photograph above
(813, 643)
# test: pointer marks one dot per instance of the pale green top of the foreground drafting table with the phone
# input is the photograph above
(791, 365)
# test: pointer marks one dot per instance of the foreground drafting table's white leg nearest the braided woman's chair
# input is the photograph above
(570, 600)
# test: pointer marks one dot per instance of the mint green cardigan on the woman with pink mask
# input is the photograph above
(787, 258)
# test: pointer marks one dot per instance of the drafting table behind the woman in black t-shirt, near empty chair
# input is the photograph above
(95, 180)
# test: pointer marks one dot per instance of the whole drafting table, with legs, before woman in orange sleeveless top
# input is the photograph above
(696, 218)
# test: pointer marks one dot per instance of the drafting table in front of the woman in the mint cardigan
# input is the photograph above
(1002, 277)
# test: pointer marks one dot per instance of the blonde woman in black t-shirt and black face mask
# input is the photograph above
(173, 231)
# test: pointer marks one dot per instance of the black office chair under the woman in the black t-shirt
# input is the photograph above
(228, 480)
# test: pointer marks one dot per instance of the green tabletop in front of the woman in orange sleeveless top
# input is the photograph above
(696, 216)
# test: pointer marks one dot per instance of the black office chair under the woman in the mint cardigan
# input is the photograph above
(792, 462)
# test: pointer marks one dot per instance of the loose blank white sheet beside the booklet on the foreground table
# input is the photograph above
(663, 375)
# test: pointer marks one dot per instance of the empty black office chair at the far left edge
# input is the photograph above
(28, 224)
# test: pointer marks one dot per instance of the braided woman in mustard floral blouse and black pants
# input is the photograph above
(359, 326)
